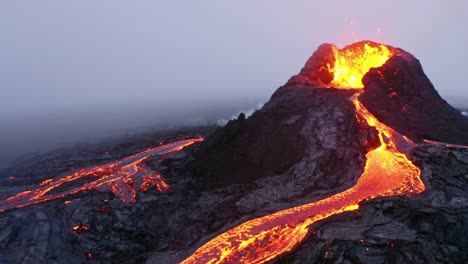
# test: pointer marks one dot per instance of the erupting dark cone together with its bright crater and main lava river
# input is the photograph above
(331, 151)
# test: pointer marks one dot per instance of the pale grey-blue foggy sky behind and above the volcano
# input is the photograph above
(88, 70)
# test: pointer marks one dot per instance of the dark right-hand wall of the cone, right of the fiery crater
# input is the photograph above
(400, 95)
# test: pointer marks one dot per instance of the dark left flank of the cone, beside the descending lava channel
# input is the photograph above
(315, 130)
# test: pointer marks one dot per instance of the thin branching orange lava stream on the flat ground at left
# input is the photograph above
(123, 178)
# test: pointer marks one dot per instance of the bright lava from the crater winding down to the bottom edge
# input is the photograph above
(387, 172)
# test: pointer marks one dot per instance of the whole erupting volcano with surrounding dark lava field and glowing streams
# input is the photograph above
(356, 159)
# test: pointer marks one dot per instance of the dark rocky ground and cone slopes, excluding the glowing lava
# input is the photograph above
(305, 144)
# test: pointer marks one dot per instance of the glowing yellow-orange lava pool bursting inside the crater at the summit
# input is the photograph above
(353, 61)
